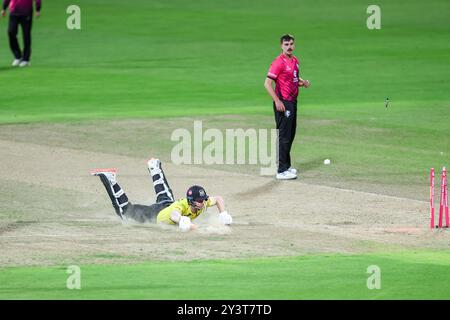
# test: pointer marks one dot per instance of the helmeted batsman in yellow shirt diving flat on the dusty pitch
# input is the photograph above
(165, 210)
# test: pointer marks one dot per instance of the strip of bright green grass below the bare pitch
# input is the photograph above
(403, 275)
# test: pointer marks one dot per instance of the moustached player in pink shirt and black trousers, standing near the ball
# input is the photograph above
(284, 71)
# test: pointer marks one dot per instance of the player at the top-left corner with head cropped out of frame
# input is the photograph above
(20, 13)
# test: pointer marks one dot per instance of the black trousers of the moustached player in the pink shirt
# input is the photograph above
(286, 123)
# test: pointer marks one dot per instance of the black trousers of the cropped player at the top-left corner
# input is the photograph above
(13, 27)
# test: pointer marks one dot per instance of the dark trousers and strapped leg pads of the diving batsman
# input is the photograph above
(138, 212)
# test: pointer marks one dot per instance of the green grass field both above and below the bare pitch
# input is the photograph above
(168, 59)
